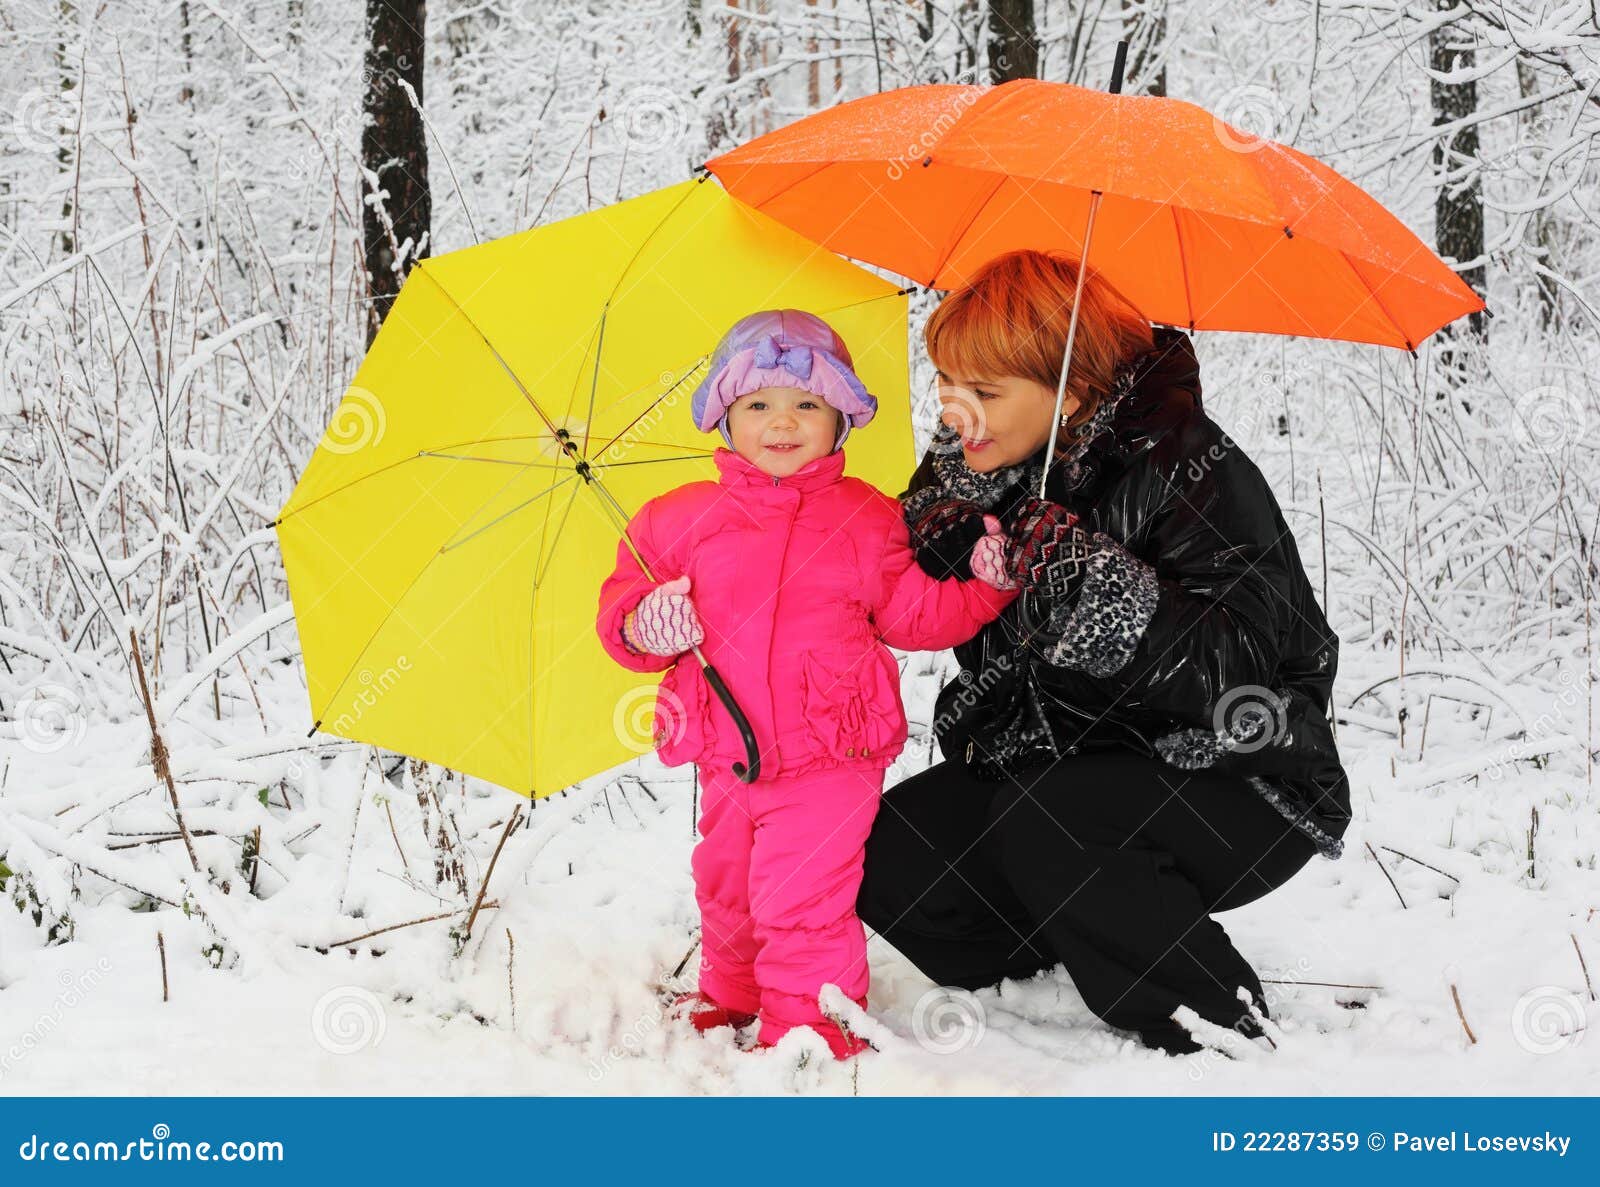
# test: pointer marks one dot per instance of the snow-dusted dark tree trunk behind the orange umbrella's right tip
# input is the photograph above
(1458, 210)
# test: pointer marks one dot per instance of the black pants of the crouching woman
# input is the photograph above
(1108, 863)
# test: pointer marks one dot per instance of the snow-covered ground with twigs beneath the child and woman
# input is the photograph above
(558, 988)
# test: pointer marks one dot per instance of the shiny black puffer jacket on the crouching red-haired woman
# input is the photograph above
(1194, 634)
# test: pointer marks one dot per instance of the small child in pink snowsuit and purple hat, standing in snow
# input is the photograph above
(793, 578)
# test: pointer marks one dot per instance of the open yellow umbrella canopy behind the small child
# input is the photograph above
(447, 542)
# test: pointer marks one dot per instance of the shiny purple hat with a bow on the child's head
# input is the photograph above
(782, 348)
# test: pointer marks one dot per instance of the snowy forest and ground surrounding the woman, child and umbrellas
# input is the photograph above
(206, 207)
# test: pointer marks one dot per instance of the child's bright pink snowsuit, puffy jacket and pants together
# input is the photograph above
(799, 585)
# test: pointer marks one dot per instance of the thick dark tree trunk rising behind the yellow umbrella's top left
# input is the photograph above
(394, 153)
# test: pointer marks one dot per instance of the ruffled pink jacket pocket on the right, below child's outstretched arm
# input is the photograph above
(852, 703)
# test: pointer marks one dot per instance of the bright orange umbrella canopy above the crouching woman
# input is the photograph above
(1199, 225)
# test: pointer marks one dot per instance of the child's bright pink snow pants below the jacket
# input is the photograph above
(777, 876)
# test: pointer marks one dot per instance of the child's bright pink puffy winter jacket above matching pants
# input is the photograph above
(799, 583)
